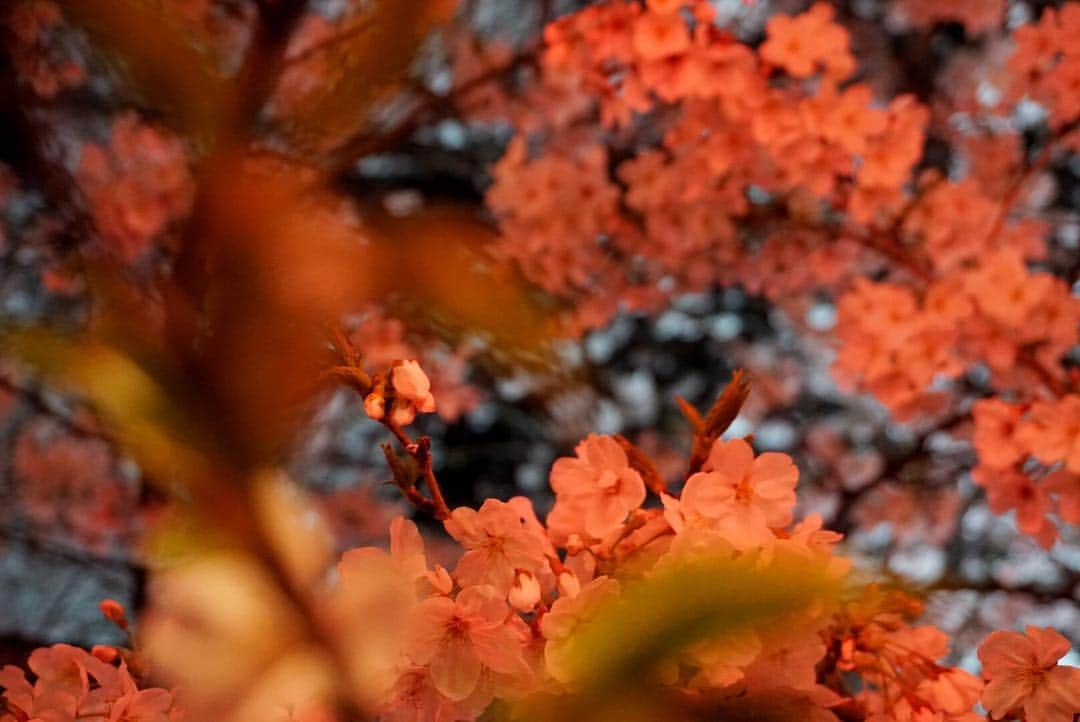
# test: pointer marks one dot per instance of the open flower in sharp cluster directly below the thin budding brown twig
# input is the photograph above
(501, 540)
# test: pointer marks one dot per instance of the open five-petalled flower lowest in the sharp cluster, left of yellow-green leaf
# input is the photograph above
(462, 638)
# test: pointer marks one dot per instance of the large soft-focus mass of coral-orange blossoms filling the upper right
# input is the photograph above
(720, 162)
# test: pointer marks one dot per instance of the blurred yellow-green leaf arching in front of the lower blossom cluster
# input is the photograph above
(614, 658)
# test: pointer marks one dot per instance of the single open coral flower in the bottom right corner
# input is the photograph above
(1022, 671)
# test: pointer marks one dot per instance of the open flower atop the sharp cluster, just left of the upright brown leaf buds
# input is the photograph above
(596, 492)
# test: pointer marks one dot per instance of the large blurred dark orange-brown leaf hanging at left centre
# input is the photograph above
(279, 261)
